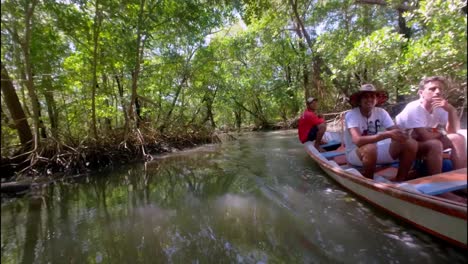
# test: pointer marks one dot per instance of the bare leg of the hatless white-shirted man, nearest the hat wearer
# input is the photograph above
(431, 152)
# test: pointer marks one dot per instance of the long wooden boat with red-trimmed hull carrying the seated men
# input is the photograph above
(417, 201)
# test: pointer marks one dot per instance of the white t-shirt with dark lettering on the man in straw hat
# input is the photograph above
(378, 121)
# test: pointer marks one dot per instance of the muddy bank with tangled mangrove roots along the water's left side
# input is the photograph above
(55, 161)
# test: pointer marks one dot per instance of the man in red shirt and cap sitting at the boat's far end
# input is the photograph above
(312, 126)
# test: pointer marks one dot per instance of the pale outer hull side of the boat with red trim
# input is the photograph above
(440, 217)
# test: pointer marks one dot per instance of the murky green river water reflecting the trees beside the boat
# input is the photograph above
(260, 199)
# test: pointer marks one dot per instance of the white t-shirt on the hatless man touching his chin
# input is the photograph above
(414, 115)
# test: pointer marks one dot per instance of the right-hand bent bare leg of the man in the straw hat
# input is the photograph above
(406, 153)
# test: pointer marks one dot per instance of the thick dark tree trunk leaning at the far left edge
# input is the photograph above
(15, 109)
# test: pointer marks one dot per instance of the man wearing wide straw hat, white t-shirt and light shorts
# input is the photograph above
(372, 138)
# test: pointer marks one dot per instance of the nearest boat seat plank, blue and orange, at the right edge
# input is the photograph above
(441, 183)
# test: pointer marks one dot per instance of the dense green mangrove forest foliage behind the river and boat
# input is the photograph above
(89, 69)
